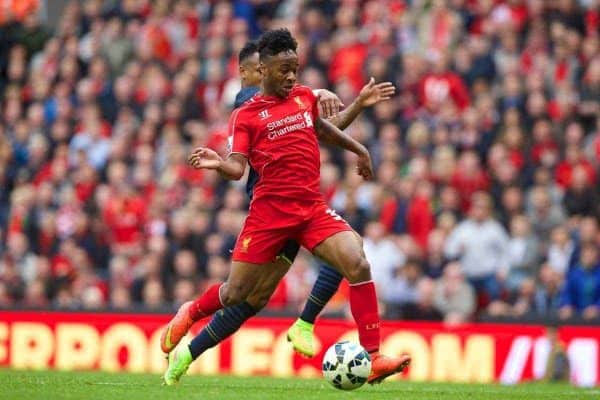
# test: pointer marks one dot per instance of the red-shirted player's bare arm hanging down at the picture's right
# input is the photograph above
(330, 134)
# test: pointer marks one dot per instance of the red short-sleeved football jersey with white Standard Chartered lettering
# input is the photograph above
(279, 139)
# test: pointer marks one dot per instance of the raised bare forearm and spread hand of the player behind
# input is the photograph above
(369, 95)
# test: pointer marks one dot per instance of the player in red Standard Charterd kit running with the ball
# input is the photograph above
(277, 131)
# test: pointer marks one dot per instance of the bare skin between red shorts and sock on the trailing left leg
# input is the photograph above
(243, 278)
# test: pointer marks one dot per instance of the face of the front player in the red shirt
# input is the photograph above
(279, 73)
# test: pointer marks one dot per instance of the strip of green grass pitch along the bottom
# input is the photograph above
(27, 385)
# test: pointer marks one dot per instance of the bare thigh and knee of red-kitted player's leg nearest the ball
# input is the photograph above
(344, 252)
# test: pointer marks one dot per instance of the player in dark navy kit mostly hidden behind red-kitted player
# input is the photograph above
(300, 334)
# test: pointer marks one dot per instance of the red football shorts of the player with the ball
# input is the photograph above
(272, 222)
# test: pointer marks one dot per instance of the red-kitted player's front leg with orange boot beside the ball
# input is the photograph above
(344, 251)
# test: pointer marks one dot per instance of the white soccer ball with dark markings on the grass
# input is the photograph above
(346, 365)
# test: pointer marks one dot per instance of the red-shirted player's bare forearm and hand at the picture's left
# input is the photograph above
(231, 168)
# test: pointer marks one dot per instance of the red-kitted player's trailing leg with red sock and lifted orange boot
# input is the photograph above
(242, 279)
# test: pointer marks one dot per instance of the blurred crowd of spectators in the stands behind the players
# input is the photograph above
(486, 198)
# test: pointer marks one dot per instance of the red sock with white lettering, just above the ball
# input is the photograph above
(363, 304)
